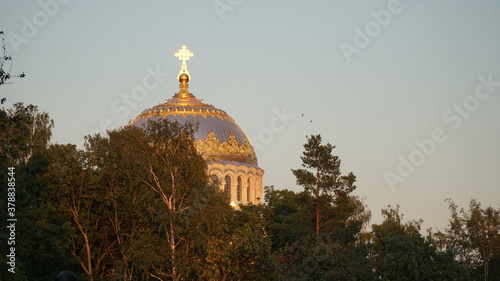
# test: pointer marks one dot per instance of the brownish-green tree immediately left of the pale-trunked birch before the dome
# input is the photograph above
(127, 206)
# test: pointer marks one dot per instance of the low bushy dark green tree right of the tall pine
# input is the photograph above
(399, 252)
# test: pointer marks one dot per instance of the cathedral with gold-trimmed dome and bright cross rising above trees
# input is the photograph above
(232, 163)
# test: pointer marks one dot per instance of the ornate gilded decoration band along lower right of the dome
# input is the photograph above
(212, 145)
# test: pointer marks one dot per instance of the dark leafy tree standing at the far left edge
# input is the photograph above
(23, 132)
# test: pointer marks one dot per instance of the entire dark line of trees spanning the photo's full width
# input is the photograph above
(135, 204)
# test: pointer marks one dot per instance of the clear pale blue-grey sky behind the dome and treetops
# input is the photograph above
(407, 91)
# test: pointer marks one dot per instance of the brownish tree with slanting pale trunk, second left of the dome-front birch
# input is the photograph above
(70, 189)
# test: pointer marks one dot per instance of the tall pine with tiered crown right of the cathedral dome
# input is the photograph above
(316, 232)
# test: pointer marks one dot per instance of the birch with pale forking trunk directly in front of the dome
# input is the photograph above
(165, 160)
